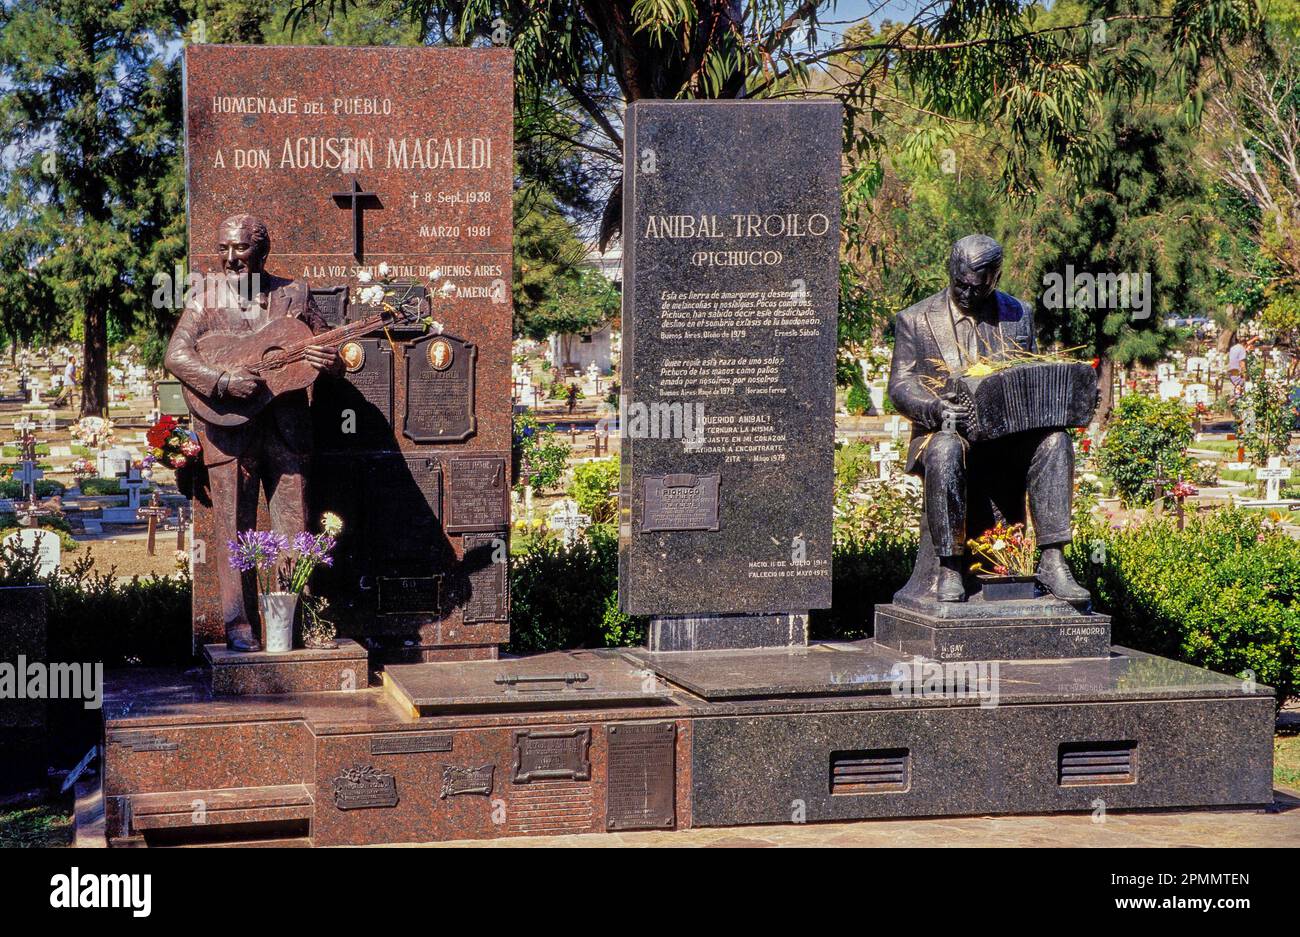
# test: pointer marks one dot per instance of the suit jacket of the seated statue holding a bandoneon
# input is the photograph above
(926, 348)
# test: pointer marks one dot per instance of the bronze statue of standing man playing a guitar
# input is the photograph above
(246, 353)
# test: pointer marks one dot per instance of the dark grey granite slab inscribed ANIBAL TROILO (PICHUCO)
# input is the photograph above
(731, 294)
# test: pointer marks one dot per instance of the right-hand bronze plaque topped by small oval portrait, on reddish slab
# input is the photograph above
(440, 393)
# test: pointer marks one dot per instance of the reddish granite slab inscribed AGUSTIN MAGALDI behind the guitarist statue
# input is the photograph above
(357, 158)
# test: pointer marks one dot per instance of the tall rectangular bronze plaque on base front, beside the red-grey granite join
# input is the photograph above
(642, 791)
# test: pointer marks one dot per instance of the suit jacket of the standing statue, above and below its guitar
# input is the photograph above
(289, 413)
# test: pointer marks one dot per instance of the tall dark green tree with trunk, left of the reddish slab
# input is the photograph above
(90, 116)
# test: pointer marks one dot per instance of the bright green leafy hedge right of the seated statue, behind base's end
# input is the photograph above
(1223, 595)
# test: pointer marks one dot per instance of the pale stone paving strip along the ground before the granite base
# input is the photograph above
(1276, 827)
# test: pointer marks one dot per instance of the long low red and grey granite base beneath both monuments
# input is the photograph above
(829, 732)
